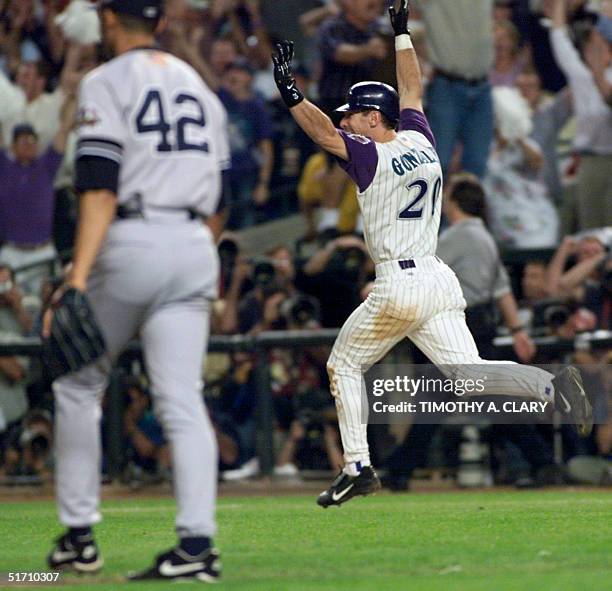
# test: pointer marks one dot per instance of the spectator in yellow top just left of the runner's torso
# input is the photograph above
(314, 197)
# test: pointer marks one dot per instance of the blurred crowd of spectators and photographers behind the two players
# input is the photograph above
(519, 96)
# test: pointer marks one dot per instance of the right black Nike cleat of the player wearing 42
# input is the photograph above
(177, 565)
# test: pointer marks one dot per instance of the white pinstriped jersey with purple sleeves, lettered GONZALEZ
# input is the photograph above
(399, 190)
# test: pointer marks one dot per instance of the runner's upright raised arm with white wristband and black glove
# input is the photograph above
(409, 79)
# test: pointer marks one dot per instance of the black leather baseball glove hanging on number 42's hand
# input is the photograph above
(75, 339)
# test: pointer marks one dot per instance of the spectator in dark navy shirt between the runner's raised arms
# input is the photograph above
(350, 49)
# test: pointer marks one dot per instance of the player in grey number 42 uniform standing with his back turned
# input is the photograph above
(152, 144)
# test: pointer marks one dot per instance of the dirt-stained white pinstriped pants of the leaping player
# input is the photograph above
(426, 305)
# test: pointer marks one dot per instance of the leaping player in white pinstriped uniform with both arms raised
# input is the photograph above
(417, 296)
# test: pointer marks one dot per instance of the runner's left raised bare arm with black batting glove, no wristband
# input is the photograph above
(308, 116)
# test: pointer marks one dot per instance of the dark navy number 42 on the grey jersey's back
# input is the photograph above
(152, 118)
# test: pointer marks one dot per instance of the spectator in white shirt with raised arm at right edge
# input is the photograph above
(593, 140)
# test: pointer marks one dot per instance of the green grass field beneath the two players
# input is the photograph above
(474, 541)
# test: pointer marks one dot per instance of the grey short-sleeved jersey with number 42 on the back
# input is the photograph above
(151, 113)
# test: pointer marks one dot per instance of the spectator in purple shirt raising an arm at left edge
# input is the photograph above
(27, 200)
